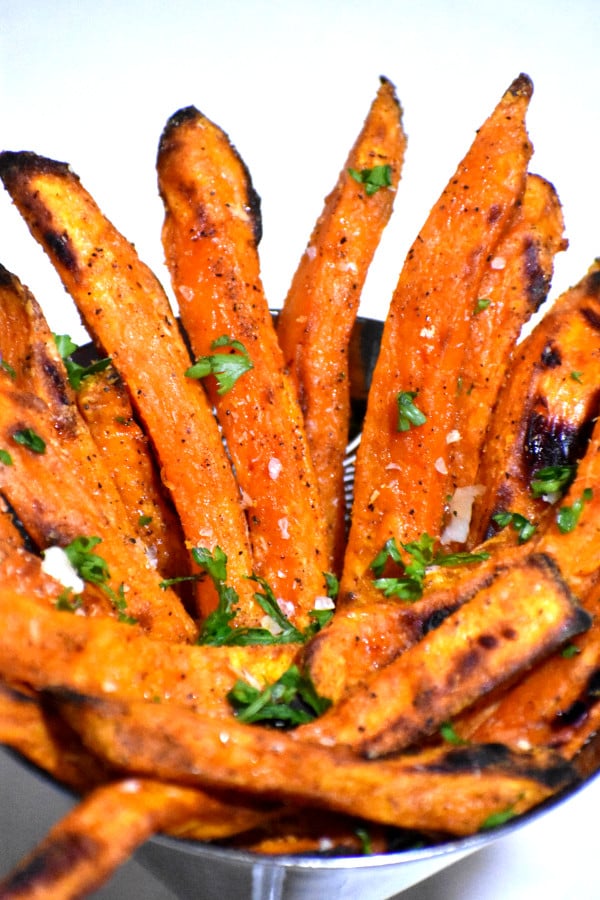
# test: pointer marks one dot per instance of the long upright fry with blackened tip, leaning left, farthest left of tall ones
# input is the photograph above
(129, 317)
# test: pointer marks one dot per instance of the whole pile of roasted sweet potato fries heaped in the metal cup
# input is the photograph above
(197, 634)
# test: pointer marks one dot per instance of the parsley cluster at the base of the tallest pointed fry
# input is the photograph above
(422, 556)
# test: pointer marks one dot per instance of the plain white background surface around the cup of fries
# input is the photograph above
(93, 84)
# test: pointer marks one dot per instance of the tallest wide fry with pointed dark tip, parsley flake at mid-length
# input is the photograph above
(398, 489)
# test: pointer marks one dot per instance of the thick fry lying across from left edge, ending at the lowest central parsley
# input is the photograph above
(43, 647)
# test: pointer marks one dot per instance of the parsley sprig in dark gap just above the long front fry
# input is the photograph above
(291, 700)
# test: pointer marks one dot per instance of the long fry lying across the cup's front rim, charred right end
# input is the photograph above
(449, 790)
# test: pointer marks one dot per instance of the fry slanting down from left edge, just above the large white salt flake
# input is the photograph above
(78, 499)
